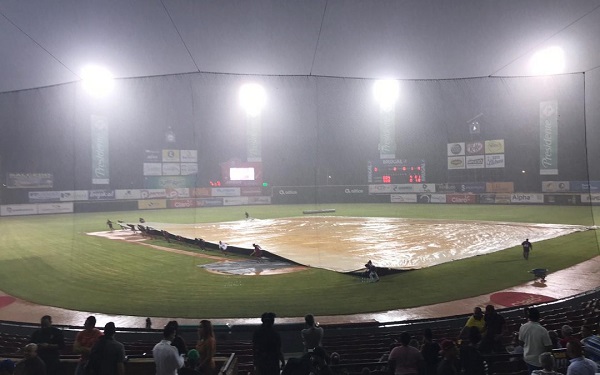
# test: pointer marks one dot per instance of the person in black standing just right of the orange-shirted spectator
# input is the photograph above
(107, 356)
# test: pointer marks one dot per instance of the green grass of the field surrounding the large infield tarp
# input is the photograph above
(51, 260)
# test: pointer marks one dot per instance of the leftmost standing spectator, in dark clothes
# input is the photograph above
(50, 341)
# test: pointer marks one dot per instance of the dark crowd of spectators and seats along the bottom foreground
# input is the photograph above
(488, 343)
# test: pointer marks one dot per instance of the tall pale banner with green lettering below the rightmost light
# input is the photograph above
(549, 137)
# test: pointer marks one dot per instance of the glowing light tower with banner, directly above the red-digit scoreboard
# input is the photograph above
(387, 93)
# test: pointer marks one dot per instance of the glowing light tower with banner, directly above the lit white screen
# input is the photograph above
(253, 99)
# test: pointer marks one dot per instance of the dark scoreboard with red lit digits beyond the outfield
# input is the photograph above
(396, 171)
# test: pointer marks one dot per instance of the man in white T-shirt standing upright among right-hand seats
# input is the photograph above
(535, 340)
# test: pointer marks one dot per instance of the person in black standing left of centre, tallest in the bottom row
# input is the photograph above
(266, 344)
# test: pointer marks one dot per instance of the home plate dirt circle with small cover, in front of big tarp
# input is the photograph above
(263, 266)
